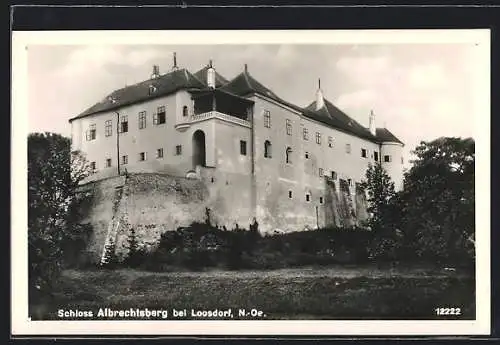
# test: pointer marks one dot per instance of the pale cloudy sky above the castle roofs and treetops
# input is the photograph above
(418, 91)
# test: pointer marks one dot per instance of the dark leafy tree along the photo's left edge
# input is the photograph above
(54, 205)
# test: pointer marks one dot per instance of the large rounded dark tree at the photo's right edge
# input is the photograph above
(438, 200)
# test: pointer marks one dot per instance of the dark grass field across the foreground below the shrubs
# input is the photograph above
(319, 293)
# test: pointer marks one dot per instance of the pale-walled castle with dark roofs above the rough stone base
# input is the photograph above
(258, 155)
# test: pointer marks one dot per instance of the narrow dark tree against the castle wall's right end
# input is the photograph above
(383, 205)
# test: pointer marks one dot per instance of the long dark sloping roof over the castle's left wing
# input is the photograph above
(164, 84)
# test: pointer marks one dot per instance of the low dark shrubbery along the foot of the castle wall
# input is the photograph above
(201, 246)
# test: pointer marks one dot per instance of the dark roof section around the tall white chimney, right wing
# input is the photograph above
(331, 115)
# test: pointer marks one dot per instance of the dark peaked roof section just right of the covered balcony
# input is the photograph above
(244, 84)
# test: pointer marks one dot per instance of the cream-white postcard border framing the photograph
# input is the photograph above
(21, 325)
